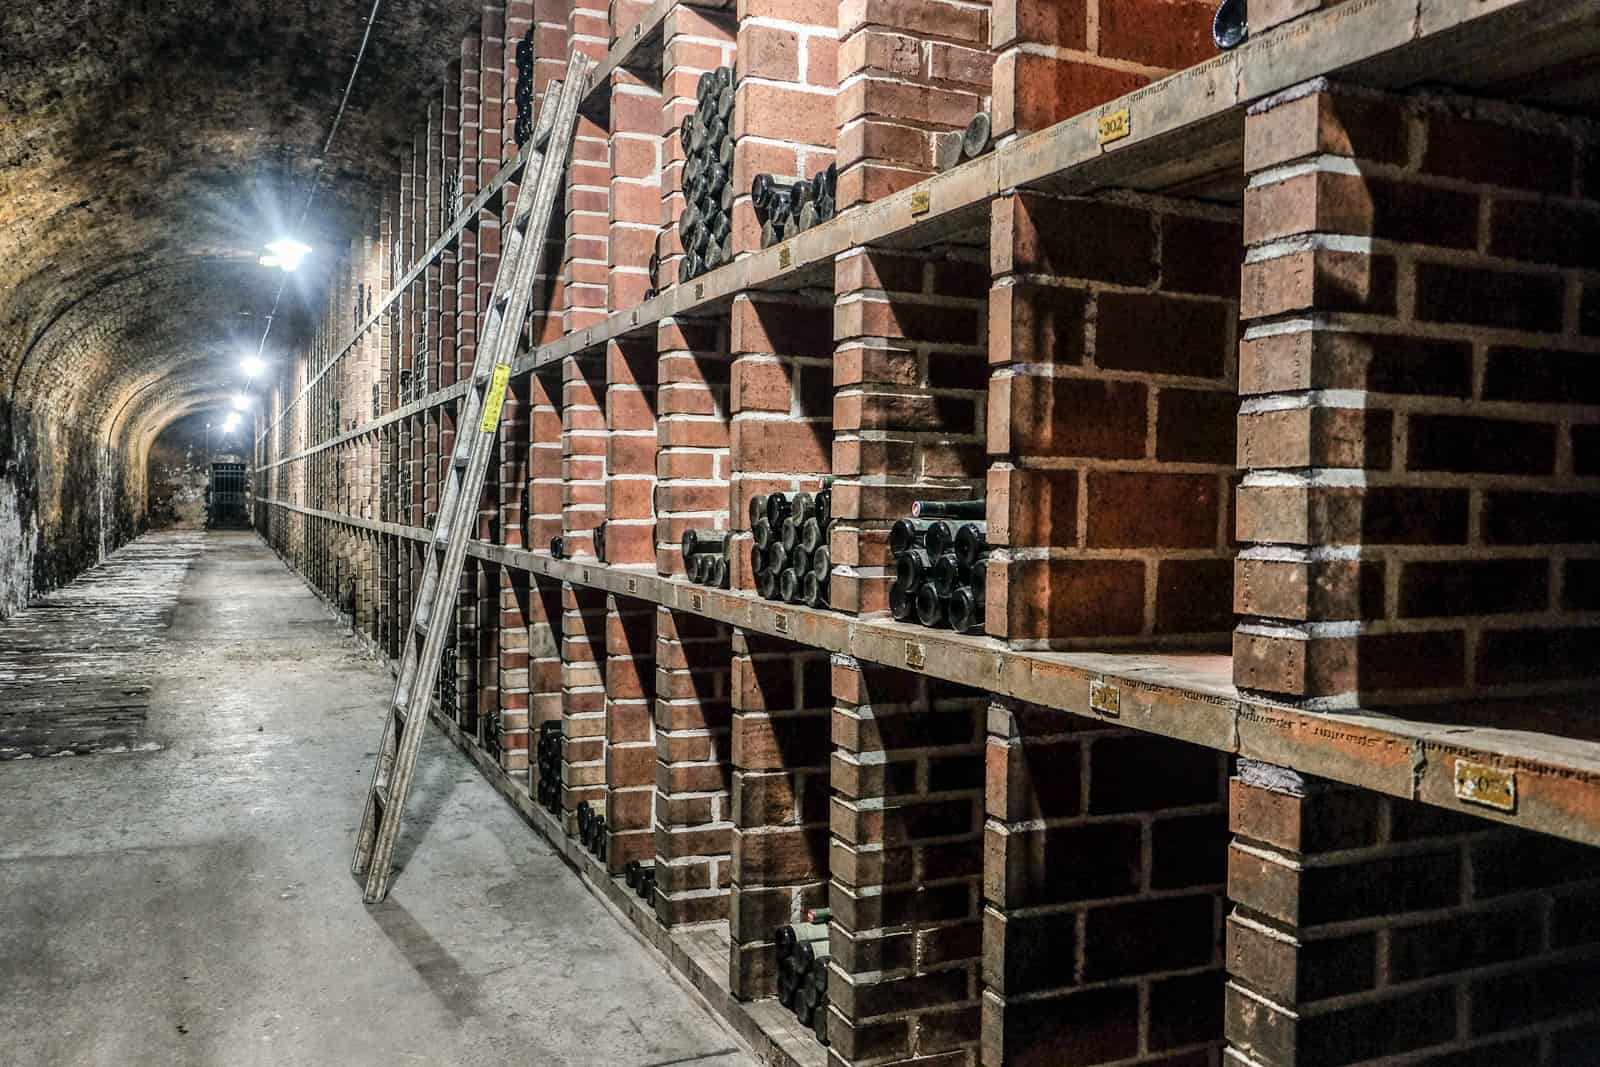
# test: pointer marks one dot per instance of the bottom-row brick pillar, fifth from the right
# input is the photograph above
(694, 769)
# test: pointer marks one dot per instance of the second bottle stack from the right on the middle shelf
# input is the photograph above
(790, 554)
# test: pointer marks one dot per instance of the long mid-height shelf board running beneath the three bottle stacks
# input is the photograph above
(1546, 743)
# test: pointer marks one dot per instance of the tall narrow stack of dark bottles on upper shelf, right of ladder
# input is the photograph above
(706, 223)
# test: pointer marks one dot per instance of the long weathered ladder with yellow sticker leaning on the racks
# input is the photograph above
(522, 255)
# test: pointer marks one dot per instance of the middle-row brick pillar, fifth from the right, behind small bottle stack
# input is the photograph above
(692, 434)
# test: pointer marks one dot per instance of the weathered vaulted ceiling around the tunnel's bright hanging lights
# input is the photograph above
(150, 148)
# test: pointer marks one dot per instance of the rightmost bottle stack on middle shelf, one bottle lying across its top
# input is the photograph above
(942, 554)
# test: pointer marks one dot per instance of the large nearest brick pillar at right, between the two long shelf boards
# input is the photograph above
(1418, 506)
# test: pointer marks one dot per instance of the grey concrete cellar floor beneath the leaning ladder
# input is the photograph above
(194, 905)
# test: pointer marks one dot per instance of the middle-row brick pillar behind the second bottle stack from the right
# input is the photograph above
(782, 398)
